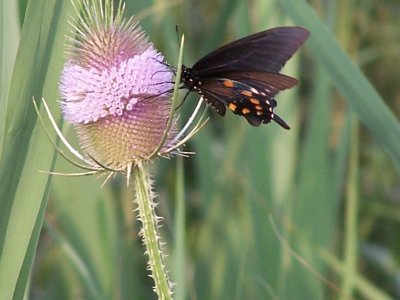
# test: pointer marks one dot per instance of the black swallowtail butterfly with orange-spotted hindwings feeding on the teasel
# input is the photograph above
(244, 75)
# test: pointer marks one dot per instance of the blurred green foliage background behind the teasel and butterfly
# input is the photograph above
(310, 213)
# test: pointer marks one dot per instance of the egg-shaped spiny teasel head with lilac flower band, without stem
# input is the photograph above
(116, 89)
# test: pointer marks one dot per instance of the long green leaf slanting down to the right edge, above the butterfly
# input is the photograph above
(355, 87)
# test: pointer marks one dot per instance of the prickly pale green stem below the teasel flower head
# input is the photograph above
(149, 233)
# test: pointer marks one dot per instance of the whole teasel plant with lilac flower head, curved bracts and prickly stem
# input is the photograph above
(116, 90)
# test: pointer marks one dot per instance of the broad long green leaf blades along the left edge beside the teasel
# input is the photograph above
(26, 149)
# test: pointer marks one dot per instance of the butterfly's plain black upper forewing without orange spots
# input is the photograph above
(266, 51)
